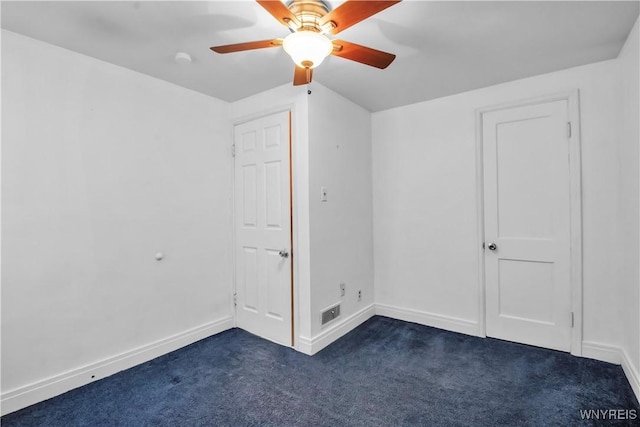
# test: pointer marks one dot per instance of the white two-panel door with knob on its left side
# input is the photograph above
(527, 224)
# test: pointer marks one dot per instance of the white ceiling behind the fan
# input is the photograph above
(442, 47)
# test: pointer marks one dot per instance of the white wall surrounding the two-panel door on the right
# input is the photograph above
(425, 230)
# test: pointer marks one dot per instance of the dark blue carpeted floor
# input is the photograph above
(384, 373)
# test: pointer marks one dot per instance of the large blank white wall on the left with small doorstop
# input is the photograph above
(102, 168)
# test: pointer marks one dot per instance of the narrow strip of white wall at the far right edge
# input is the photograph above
(628, 231)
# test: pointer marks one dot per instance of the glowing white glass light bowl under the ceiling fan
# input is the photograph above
(307, 48)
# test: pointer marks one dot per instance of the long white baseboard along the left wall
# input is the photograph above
(45, 389)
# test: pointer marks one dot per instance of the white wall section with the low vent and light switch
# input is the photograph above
(341, 227)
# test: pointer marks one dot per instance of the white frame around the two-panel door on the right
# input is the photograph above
(575, 177)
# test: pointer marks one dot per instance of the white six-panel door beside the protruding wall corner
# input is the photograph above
(263, 227)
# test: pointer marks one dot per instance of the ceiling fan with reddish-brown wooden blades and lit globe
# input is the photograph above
(309, 22)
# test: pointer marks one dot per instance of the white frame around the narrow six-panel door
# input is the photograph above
(294, 269)
